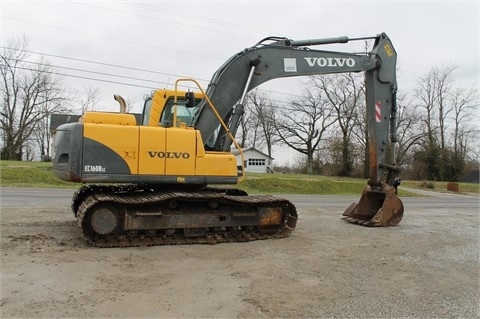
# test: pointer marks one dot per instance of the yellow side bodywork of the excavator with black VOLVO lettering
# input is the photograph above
(161, 151)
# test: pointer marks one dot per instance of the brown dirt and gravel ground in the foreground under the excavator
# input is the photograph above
(426, 267)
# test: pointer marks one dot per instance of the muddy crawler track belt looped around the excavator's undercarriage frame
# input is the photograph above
(132, 199)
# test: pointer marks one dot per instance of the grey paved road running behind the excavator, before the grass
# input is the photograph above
(32, 197)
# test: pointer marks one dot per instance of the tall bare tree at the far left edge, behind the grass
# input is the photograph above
(29, 95)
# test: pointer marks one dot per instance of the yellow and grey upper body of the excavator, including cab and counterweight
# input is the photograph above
(115, 148)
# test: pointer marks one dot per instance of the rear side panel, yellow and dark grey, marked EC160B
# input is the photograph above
(110, 149)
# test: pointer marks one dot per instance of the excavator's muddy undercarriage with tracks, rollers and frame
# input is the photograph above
(142, 215)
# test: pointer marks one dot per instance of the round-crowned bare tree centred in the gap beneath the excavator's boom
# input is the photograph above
(302, 126)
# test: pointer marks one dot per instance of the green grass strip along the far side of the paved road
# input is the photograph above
(37, 174)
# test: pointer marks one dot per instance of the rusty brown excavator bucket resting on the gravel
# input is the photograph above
(379, 207)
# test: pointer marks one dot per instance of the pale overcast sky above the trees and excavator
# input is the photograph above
(194, 38)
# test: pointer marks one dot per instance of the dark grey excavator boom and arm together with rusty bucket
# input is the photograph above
(274, 58)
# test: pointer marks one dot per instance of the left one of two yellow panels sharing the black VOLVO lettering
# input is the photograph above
(152, 145)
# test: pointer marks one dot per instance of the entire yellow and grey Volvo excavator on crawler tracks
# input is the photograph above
(147, 183)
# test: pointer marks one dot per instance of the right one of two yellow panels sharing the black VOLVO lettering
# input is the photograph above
(180, 152)
